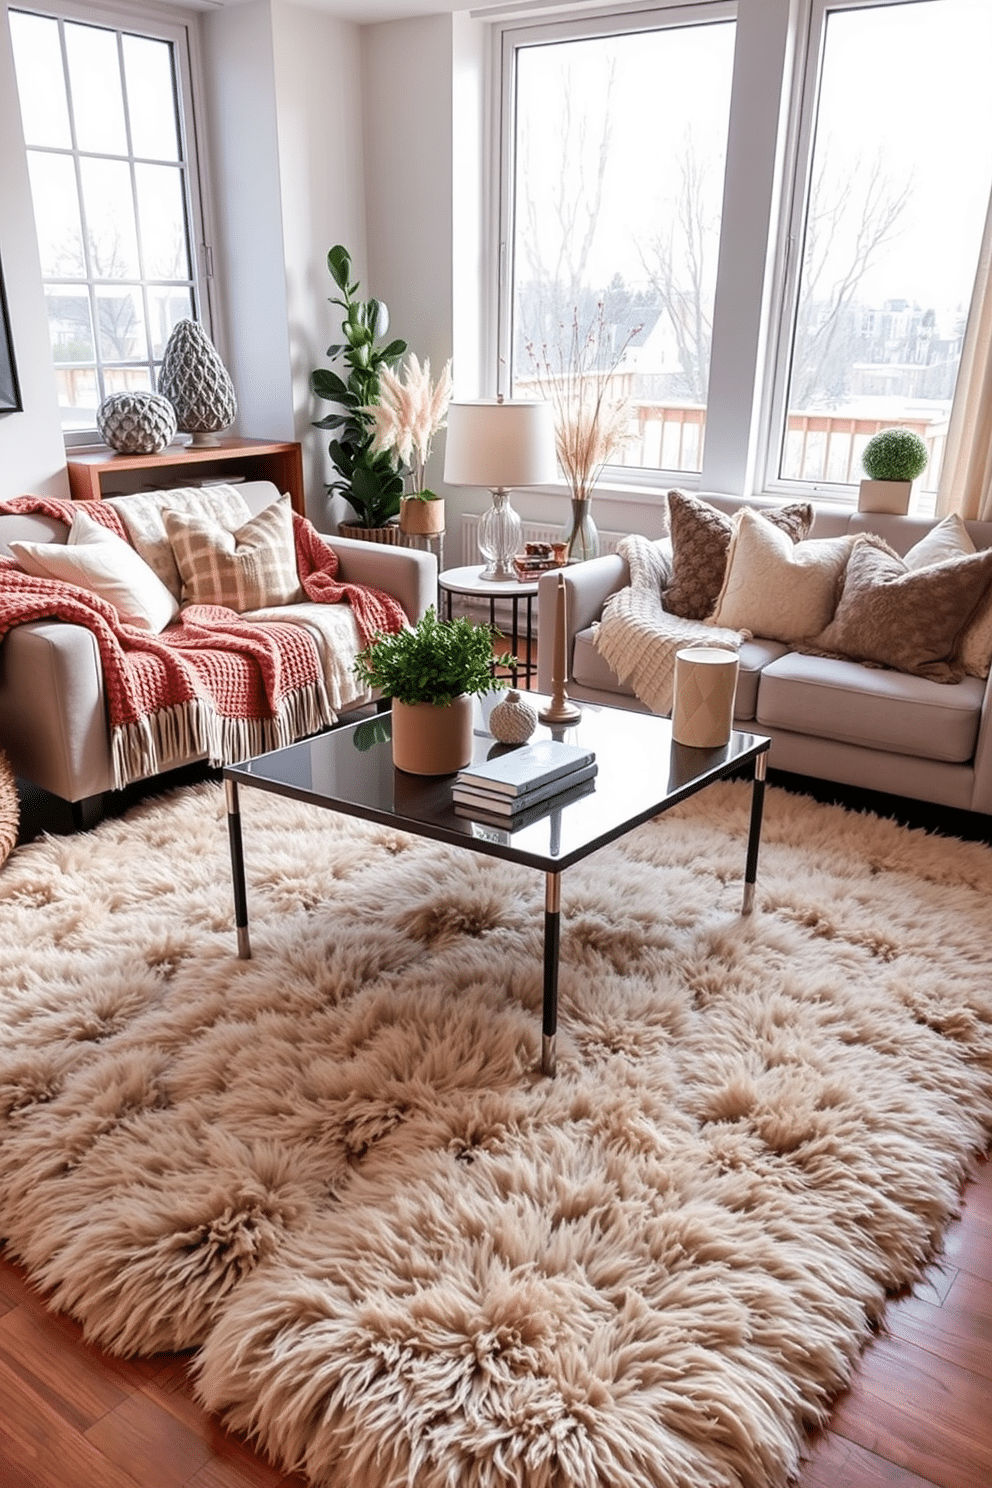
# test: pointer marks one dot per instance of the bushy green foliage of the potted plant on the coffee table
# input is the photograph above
(434, 661)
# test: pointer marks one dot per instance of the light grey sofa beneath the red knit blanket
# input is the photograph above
(53, 705)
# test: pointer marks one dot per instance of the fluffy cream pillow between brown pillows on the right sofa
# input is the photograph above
(777, 589)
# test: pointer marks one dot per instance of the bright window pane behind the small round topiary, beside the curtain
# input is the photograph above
(899, 188)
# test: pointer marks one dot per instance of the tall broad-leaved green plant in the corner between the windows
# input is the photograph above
(370, 480)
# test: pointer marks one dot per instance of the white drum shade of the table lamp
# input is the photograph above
(500, 444)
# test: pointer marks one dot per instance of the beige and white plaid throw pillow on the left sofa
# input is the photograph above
(245, 571)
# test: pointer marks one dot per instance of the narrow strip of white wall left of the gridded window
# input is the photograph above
(32, 453)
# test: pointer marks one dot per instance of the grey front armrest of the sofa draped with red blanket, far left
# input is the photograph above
(53, 709)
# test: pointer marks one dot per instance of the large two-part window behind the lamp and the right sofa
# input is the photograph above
(767, 237)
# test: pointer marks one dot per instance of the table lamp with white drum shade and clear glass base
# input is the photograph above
(500, 443)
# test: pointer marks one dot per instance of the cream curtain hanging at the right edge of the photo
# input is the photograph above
(966, 480)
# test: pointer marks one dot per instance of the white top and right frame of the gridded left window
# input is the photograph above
(182, 31)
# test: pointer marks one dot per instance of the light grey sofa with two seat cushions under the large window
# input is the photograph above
(828, 718)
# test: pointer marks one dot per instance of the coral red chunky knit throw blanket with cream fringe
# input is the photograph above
(212, 685)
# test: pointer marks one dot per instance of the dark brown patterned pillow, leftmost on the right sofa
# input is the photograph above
(701, 538)
